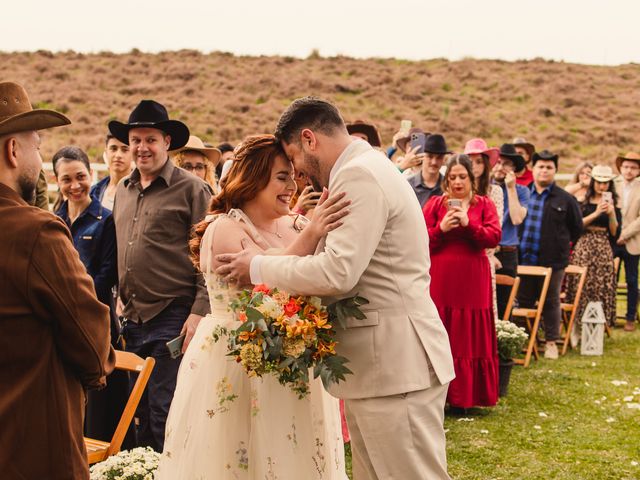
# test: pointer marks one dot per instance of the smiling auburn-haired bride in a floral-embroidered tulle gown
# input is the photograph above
(222, 424)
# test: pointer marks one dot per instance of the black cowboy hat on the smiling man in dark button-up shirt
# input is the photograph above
(150, 114)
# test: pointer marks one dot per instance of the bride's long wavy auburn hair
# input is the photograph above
(249, 174)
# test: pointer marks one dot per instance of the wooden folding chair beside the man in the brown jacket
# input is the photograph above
(97, 450)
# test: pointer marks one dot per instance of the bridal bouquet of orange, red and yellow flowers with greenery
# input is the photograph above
(285, 336)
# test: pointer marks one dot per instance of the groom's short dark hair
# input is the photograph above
(308, 112)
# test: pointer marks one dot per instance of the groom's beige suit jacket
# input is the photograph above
(380, 253)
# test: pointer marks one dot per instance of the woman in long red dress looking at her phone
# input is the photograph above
(461, 226)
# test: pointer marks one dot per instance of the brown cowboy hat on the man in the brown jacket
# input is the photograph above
(17, 115)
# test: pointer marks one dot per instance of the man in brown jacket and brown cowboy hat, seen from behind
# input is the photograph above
(54, 333)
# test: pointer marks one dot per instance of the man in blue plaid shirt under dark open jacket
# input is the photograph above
(553, 222)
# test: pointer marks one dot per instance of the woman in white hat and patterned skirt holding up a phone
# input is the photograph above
(594, 249)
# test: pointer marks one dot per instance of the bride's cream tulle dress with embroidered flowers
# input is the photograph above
(224, 425)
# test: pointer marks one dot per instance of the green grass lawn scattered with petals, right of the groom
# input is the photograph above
(562, 420)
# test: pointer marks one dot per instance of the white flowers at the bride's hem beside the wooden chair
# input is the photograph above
(136, 464)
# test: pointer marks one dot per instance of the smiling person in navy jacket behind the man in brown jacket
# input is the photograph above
(94, 236)
